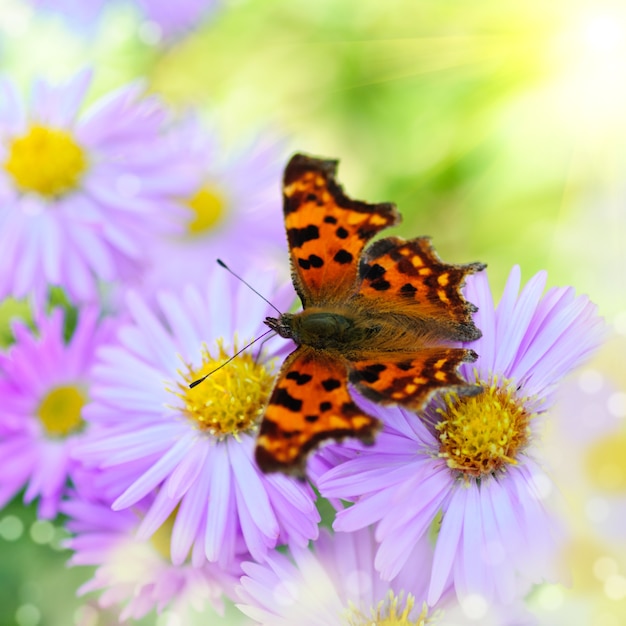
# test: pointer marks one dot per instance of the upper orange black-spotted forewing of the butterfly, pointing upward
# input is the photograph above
(326, 230)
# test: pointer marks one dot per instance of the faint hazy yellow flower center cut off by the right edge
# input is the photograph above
(605, 463)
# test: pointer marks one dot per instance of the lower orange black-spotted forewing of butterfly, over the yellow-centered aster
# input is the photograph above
(310, 403)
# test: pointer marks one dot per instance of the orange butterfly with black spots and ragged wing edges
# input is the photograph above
(381, 318)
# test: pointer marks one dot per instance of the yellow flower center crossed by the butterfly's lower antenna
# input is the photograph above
(232, 399)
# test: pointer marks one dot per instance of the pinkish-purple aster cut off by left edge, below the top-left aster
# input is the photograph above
(44, 385)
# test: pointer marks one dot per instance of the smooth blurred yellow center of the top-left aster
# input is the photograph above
(47, 161)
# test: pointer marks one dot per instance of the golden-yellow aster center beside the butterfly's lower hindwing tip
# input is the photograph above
(481, 434)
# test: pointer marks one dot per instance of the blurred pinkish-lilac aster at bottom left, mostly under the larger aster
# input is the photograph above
(138, 575)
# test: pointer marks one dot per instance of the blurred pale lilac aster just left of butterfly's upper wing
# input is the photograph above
(234, 209)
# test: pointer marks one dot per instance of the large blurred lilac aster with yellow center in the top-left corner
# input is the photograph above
(82, 193)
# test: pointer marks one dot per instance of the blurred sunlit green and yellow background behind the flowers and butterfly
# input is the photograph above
(498, 128)
